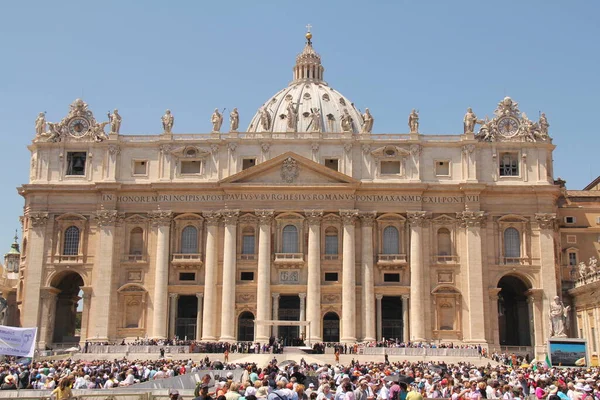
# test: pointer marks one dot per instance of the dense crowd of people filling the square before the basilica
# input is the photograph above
(303, 381)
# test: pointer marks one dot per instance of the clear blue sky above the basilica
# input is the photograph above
(391, 56)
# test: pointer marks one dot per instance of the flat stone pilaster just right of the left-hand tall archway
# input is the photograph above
(102, 284)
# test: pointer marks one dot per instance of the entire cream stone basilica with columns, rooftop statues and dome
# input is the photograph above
(364, 235)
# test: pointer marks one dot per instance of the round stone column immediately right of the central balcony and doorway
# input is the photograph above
(313, 284)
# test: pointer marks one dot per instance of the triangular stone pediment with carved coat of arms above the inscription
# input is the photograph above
(290, 169)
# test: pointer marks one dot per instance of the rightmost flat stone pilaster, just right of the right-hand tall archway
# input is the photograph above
(546, 224)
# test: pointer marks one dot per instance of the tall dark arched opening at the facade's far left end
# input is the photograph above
(67, 320)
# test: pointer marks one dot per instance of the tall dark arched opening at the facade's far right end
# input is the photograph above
(513, 312)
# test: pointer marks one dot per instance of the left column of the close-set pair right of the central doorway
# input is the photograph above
(348, 278)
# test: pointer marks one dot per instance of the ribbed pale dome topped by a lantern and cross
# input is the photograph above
(308, 103)
